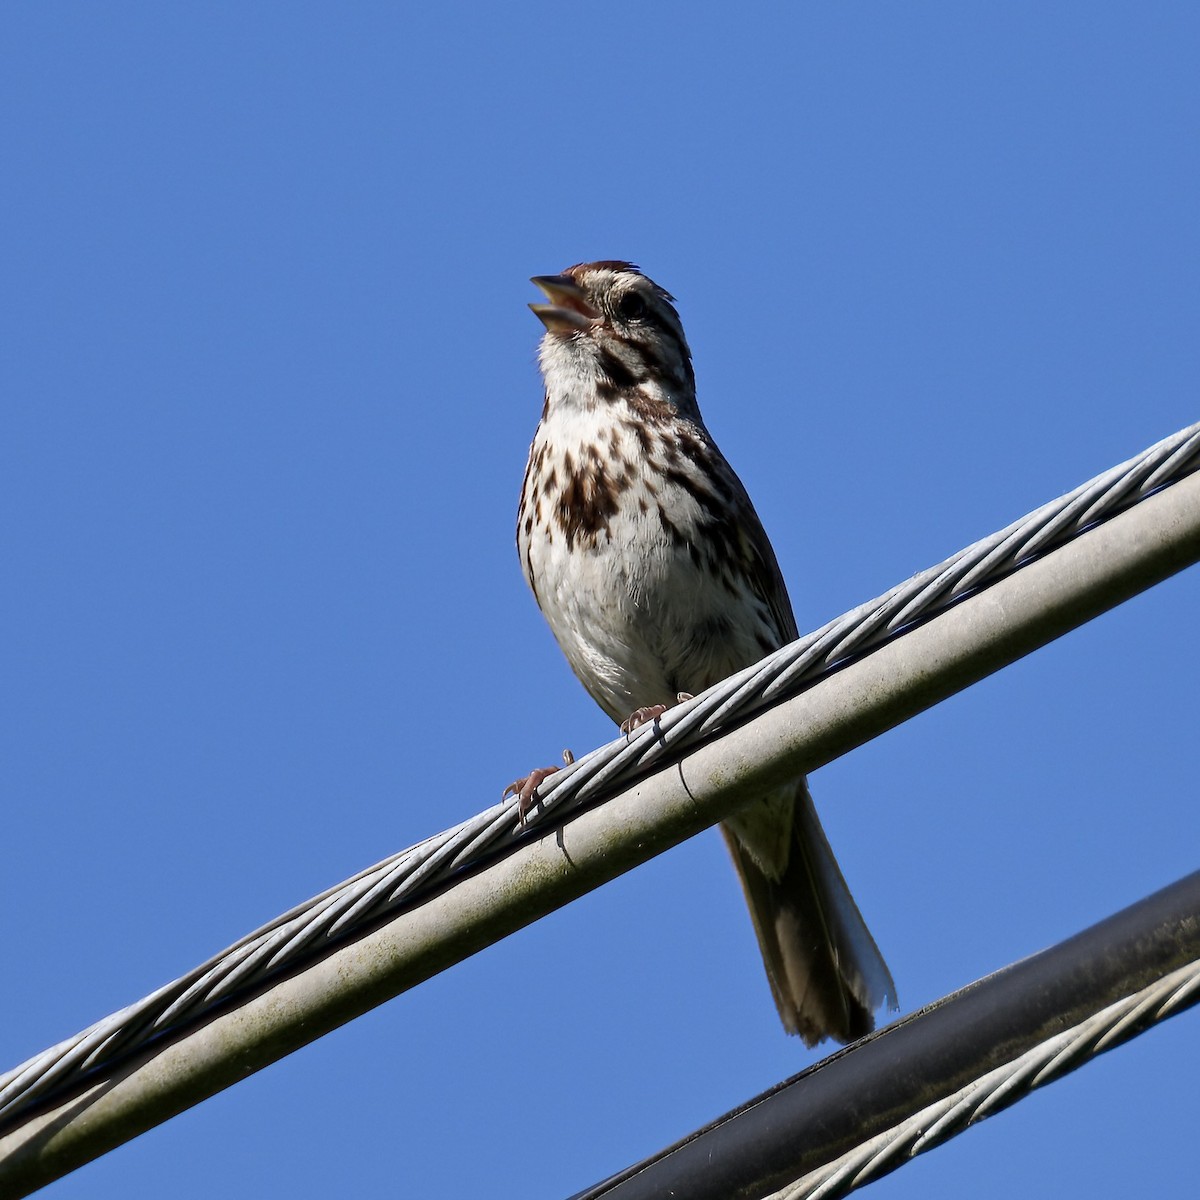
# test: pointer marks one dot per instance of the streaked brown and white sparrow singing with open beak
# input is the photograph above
(647, 559)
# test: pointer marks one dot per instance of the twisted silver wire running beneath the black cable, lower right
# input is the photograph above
(999, 1089)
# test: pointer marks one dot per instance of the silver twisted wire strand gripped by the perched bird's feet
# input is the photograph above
(405, 879)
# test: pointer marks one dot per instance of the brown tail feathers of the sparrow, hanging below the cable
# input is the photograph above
(825, 970)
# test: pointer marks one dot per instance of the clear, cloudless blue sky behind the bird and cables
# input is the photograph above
(269, 382)
